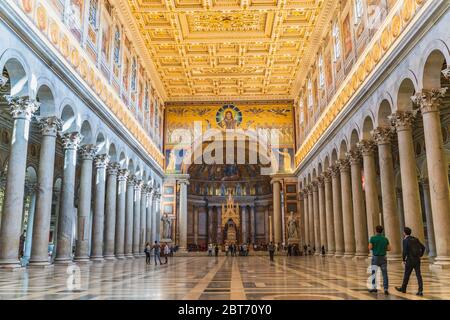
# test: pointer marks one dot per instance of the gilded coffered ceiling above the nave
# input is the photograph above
(221, 49)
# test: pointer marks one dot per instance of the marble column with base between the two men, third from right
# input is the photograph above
(382, 137)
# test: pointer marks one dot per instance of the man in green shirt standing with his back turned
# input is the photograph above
(379, 244)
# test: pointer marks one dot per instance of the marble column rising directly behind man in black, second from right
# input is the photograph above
(403, 121)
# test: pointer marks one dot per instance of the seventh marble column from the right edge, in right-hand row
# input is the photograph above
(337, 212)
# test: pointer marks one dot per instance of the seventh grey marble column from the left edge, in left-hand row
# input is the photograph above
(119, 237)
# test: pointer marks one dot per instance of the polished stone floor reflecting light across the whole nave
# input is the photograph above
(254, 278)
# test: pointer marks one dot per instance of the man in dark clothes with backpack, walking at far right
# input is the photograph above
(413, 250)
